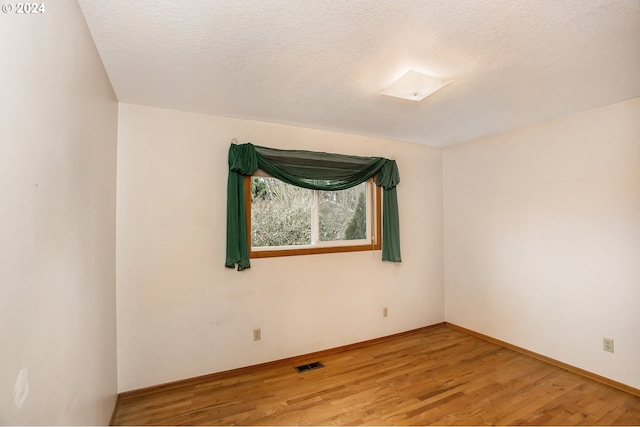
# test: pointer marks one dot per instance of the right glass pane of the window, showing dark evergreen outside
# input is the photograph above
(343, 214)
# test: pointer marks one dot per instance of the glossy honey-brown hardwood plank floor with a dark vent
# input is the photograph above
(436, 376)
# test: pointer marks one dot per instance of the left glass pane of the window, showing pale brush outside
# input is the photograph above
(280, 213)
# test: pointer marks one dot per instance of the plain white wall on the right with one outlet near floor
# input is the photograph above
(542, 238)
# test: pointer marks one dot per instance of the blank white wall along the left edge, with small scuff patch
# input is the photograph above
(58, 129)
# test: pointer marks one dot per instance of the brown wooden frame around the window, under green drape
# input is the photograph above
(376, 231)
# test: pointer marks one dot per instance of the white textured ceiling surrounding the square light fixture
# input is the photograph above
(321, 64)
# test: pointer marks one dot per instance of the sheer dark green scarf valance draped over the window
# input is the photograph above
(313, 170)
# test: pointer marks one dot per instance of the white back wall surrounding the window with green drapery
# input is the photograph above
(181, 313)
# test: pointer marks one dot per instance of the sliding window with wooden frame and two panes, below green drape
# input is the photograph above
(283, 219)
